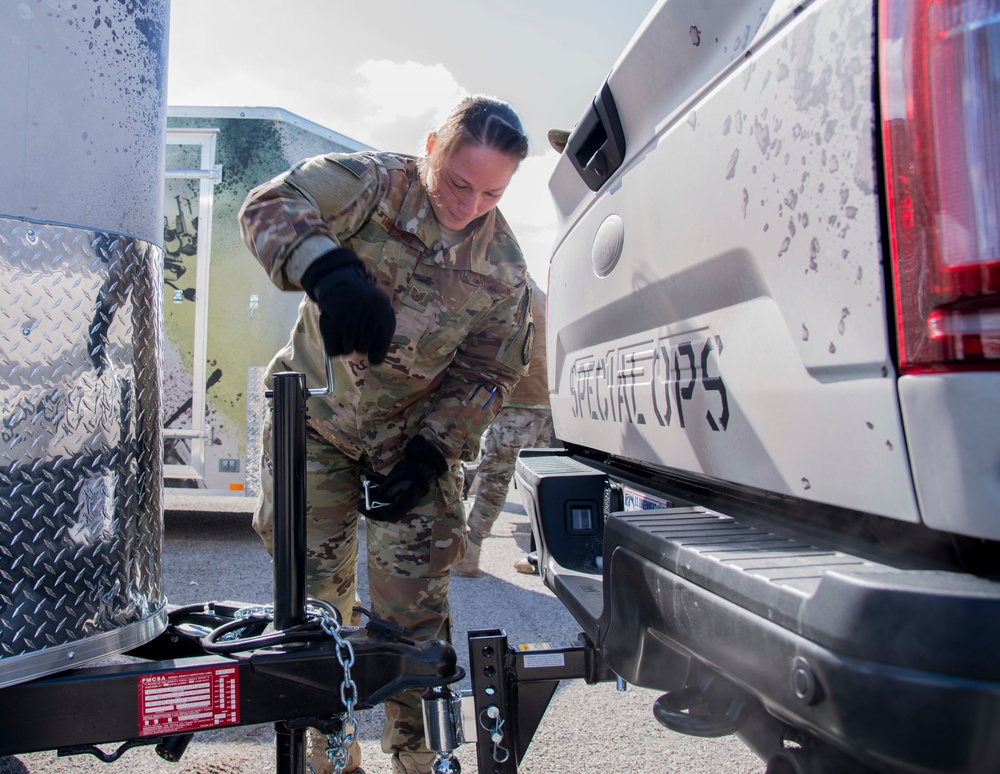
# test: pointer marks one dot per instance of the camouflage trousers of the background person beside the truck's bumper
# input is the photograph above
(513, 429)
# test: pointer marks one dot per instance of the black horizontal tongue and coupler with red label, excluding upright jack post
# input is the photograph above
(238, 673)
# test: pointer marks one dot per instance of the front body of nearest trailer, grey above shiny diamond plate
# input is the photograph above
(81, 157)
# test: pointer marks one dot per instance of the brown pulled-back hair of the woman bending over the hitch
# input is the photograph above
(480, 119)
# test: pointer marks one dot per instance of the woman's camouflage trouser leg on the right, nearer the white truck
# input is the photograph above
(408, 577)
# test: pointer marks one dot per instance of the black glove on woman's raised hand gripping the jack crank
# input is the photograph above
(355, 316)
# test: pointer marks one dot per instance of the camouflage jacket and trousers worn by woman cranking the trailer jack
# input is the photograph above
(463, 339)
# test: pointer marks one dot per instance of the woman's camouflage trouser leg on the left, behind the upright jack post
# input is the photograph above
(332, 492)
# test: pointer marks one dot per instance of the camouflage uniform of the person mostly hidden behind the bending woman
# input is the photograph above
(525, 421)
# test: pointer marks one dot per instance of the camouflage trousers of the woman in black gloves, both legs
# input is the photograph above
(407, 562)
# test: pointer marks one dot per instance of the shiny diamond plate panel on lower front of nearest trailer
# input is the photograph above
(80, 446)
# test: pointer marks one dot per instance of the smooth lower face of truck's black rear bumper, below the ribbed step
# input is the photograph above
(892, 718)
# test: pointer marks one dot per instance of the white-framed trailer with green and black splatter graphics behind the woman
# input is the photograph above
(223, 319)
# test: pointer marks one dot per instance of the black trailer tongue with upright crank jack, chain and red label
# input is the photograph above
(222, 664)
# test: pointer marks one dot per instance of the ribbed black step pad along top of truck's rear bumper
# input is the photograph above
(851, 605)
